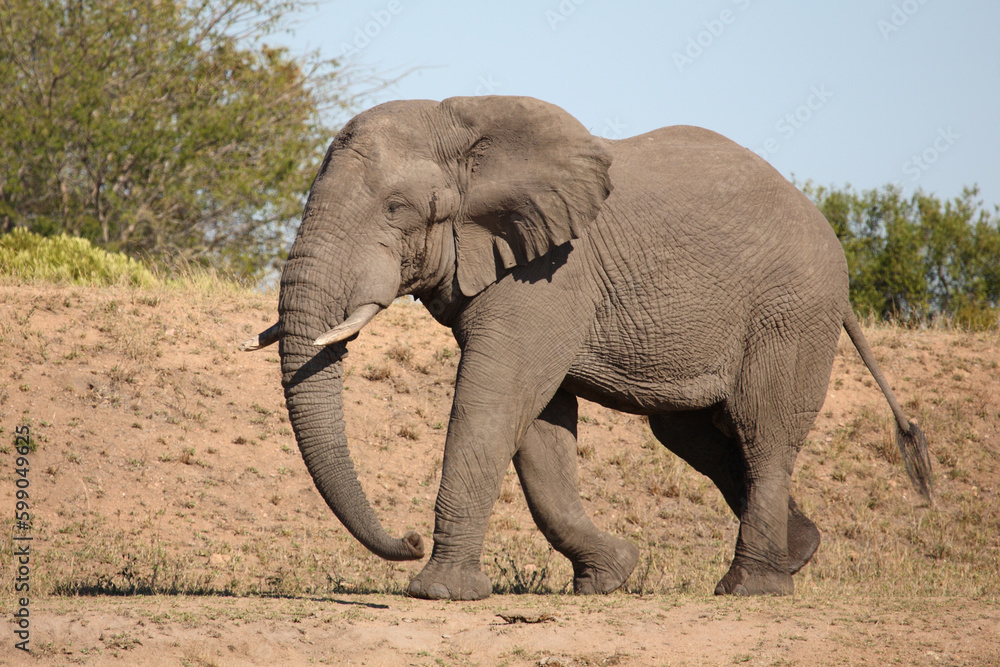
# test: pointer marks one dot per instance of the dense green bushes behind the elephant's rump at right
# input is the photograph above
(912, 259)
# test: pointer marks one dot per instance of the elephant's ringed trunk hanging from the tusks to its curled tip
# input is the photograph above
(312, 378)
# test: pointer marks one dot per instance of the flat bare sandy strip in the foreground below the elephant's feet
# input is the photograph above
(512, 630)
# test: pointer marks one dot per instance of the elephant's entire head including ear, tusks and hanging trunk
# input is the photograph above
(433, 199)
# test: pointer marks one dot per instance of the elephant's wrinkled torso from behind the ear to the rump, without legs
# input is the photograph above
(700, 245)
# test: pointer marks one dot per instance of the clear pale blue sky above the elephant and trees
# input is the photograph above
(866, 92)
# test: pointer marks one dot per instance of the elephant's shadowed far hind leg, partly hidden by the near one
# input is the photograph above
(695, 437)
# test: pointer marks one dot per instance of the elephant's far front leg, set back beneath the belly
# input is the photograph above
(546, 465)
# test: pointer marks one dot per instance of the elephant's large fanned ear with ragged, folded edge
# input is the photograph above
(532, 178)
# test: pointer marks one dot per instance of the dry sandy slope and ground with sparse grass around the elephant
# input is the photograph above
(165, 475)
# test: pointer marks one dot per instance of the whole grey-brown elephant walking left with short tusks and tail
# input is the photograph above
(674, 274)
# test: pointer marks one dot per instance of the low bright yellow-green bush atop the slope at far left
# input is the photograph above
(61, 258)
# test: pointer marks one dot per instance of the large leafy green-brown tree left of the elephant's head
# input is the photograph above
(163, 128)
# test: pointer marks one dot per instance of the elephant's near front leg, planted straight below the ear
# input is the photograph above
(519, 339)
